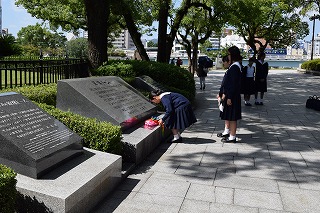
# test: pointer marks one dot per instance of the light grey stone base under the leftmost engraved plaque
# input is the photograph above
(78, 185)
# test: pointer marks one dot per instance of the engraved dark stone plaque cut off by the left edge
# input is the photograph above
(32, 141)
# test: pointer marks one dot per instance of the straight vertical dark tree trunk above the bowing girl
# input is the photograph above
(162, 32)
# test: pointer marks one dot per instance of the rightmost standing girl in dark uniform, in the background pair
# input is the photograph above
(262, 70)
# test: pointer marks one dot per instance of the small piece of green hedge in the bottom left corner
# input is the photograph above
(8, 192)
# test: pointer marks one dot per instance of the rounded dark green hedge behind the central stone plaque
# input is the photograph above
(175, 78)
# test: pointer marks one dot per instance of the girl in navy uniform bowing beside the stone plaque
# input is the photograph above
(179, 114)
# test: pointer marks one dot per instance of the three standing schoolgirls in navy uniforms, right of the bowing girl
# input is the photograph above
(239, 80)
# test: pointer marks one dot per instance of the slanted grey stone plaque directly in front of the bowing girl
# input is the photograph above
(106, 98)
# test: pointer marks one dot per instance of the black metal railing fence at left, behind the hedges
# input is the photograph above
(16, 73)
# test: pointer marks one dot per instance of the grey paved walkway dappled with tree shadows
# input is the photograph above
(274, 168)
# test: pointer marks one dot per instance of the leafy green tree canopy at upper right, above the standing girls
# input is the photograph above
(268, 22)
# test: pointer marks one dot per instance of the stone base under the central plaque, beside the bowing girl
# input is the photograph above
(140, 142)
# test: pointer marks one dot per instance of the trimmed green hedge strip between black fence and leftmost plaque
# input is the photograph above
(43, 93)
